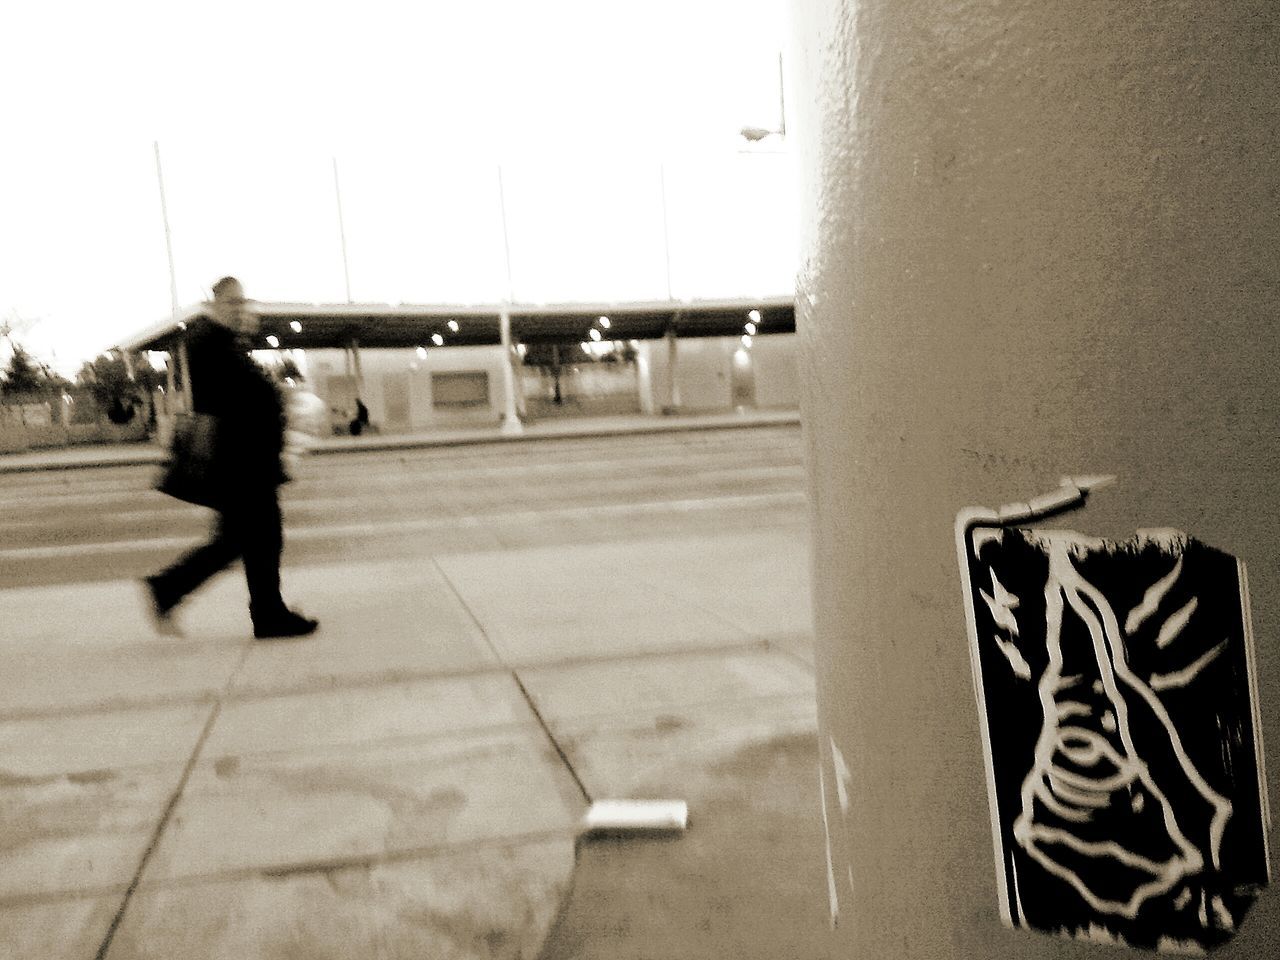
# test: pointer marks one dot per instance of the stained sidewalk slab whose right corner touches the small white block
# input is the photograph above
(294, 811)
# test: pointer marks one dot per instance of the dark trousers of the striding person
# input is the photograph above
(248, 529)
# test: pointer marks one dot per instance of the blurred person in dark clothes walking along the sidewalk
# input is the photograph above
(250, 413)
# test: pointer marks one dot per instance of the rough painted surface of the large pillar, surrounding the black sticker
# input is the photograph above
(1039, 241)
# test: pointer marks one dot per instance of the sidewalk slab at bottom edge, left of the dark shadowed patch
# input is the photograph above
(481, 903)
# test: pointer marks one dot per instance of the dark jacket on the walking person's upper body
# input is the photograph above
(230, 386)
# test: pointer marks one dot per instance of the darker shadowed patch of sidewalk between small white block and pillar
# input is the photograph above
(747, 881)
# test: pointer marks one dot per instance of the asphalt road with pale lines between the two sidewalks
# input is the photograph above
(107, 524)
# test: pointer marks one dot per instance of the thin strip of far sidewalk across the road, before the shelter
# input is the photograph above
(144, 454)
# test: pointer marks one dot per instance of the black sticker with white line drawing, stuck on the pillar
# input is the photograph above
(1117, 696)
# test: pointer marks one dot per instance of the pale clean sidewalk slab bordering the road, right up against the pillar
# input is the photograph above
(643, 596)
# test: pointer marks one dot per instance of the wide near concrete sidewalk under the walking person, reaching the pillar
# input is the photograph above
(409, 783)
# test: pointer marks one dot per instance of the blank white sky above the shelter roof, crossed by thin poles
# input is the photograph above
(588, 108)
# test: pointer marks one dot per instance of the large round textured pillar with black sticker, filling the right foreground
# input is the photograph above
(1040, 243)
